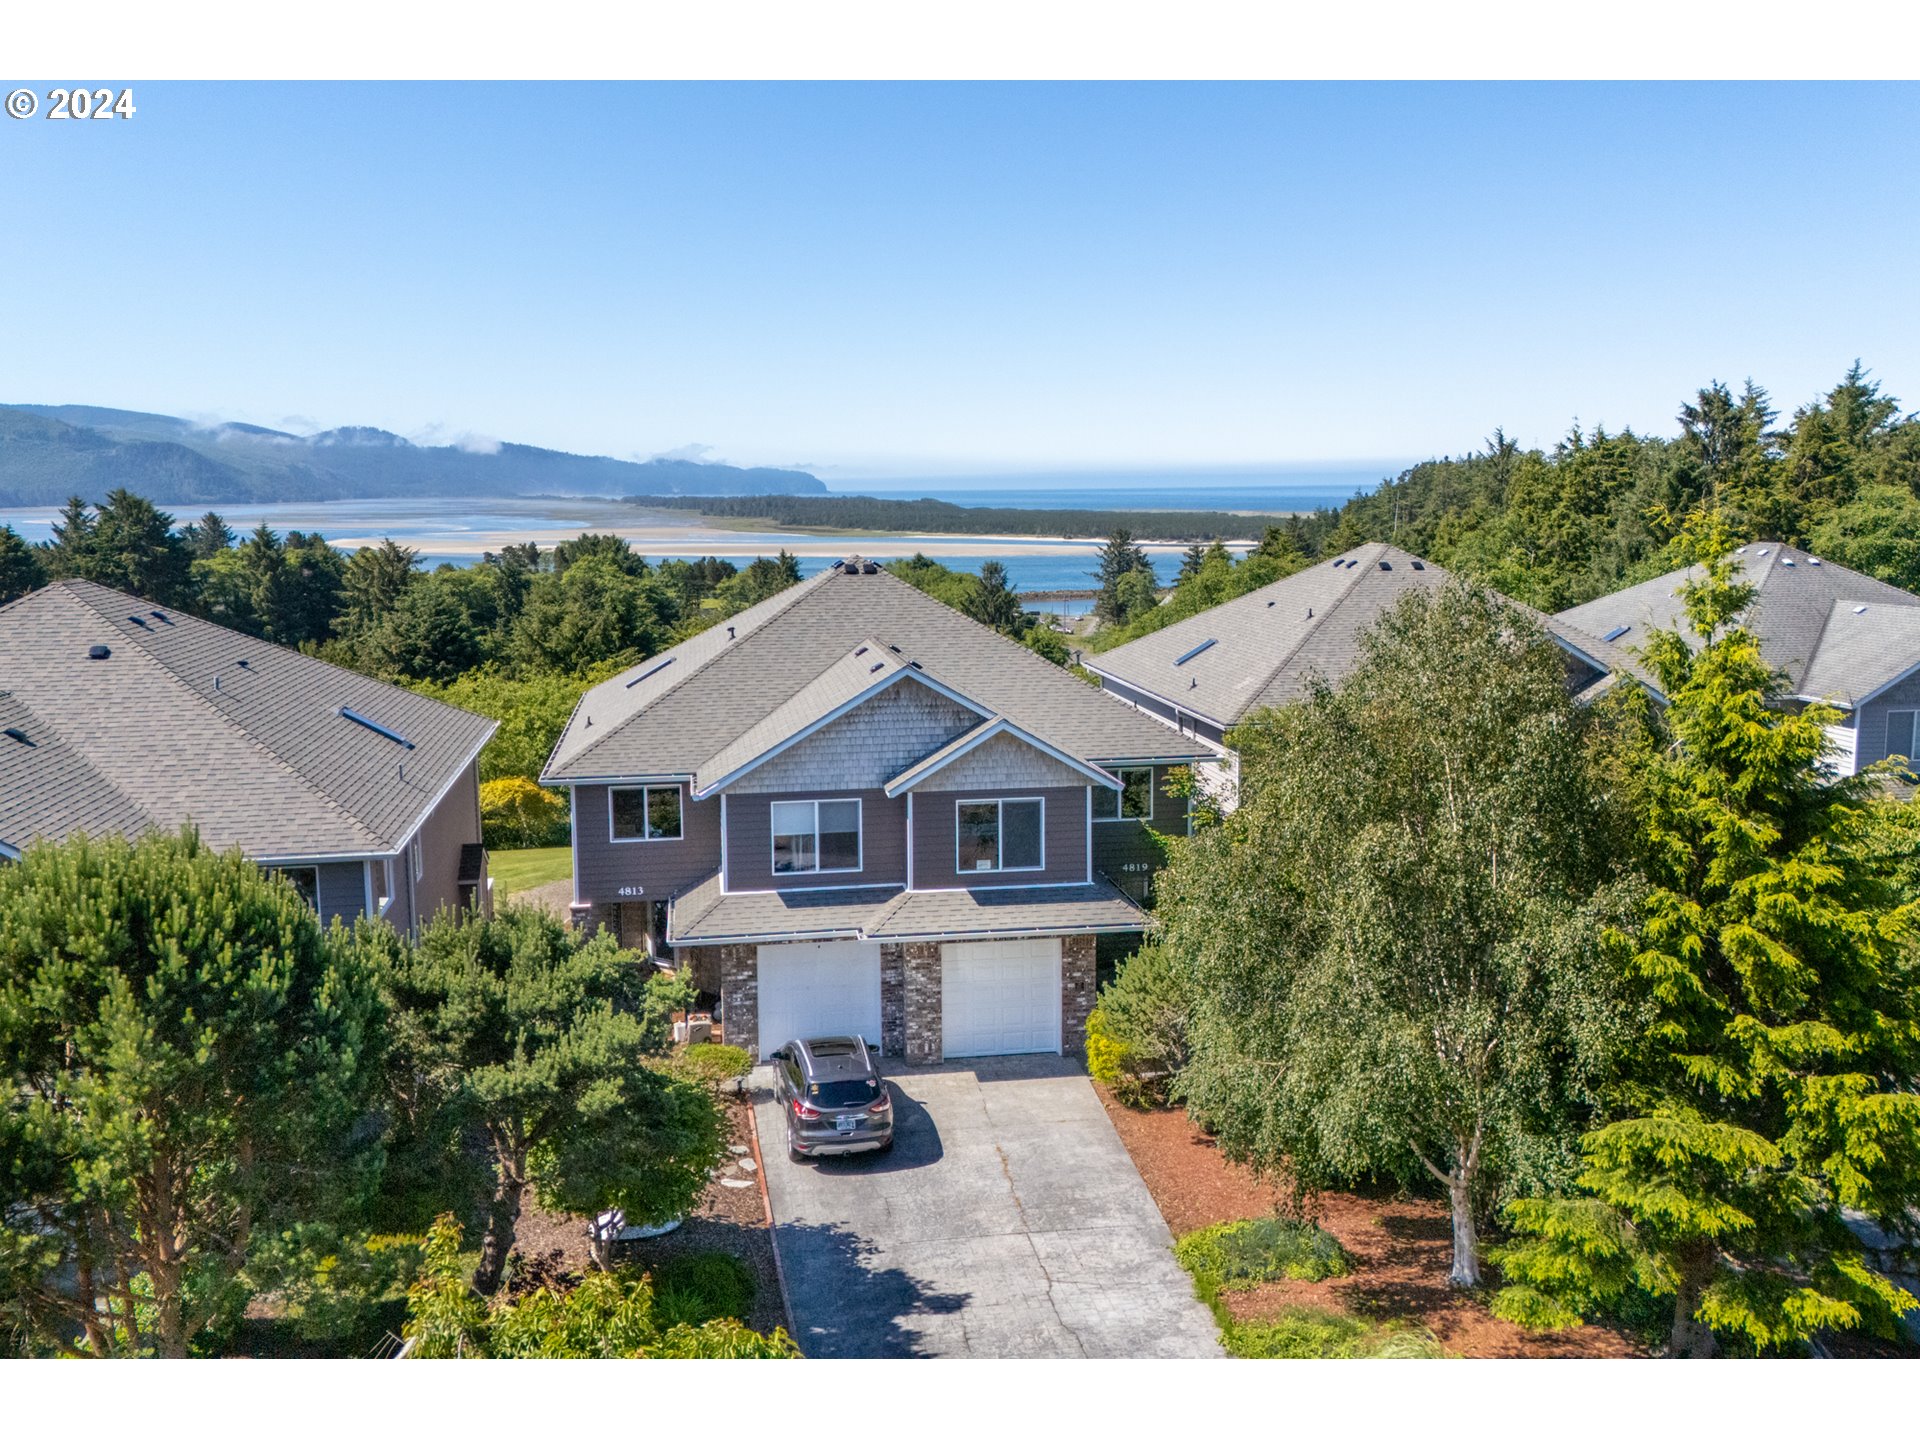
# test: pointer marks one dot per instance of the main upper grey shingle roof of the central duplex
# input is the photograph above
(790, 661)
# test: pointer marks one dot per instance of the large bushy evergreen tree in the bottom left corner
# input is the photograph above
(183, 1063)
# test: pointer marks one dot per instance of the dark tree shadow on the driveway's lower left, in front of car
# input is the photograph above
(846, 1305)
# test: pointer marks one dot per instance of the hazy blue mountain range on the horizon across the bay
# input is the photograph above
(51, 452)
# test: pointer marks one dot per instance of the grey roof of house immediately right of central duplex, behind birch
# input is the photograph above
(1270, 646)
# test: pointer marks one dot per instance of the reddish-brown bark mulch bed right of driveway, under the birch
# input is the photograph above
(1403, 1249)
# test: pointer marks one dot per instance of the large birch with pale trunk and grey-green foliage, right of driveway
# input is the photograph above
(1393, 938)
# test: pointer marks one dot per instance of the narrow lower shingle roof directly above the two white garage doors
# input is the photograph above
(888, 913)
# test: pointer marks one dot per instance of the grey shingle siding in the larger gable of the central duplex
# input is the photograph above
(865, 748)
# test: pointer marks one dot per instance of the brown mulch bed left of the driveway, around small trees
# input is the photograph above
(727, 1218)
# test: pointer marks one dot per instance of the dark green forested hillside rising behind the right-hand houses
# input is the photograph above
(1560, 527)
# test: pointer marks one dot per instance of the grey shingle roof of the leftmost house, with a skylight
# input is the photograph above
(187, 721)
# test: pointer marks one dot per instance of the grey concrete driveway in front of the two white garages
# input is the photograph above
(1009, 1220)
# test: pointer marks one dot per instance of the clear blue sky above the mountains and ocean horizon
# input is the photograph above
(896, 279)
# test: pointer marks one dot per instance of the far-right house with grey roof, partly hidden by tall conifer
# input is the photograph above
(1838, 636)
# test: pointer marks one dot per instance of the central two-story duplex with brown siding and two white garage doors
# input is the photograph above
(852, 809)
